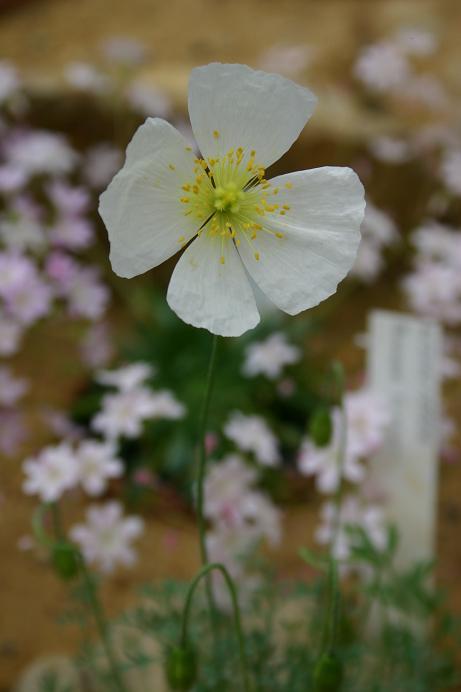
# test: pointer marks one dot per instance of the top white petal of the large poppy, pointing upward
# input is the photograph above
(248, 108)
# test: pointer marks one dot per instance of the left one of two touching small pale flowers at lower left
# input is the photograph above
(51, 473)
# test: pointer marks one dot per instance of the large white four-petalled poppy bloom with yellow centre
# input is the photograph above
(295, 235)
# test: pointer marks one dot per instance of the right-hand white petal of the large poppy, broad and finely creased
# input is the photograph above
(321, 236)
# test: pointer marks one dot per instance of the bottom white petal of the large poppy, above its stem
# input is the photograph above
(205, 293)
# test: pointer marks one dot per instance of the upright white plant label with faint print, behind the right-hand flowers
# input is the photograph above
(404, 363)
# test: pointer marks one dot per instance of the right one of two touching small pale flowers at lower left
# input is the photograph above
(97, 463)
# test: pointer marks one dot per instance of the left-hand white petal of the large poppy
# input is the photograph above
(141, 208)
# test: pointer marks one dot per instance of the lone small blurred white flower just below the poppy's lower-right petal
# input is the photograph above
(269, 357)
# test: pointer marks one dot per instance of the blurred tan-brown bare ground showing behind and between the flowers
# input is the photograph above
(41, 37)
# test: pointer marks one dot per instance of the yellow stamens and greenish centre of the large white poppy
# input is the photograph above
(231, 199)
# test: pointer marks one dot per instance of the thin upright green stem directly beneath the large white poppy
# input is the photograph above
(202, 451)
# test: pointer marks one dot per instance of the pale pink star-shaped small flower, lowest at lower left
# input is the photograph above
(106, 537)
